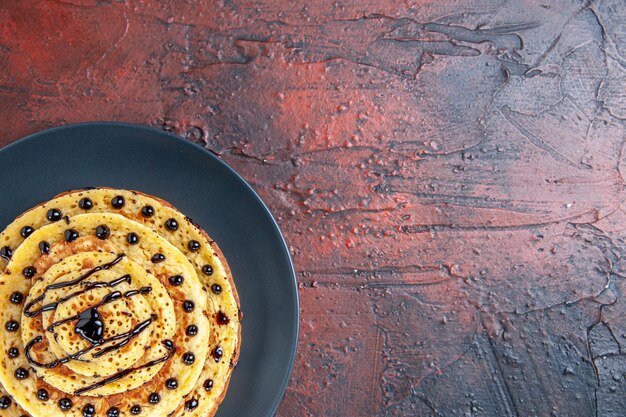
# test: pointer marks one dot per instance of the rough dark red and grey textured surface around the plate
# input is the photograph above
(448, 174)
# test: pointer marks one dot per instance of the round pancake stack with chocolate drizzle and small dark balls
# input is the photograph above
(113, 303)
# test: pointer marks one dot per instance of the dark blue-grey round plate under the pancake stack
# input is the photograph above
(202, 187)
